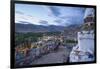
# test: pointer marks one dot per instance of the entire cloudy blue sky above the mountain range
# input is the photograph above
(49, 15)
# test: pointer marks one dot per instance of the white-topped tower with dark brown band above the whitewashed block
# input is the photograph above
(89, 19)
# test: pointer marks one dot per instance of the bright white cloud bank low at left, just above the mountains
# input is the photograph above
(29, 19)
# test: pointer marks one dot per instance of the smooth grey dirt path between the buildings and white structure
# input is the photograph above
(53, 57)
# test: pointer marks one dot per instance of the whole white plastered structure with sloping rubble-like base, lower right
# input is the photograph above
(84, 50)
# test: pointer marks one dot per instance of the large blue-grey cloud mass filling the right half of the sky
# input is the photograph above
(67, 15)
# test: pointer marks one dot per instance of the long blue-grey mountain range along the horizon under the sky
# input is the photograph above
(40, 28)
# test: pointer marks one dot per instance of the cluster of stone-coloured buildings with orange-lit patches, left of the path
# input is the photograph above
(26, 53)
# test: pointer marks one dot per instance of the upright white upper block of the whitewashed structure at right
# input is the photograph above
(86, 41)
